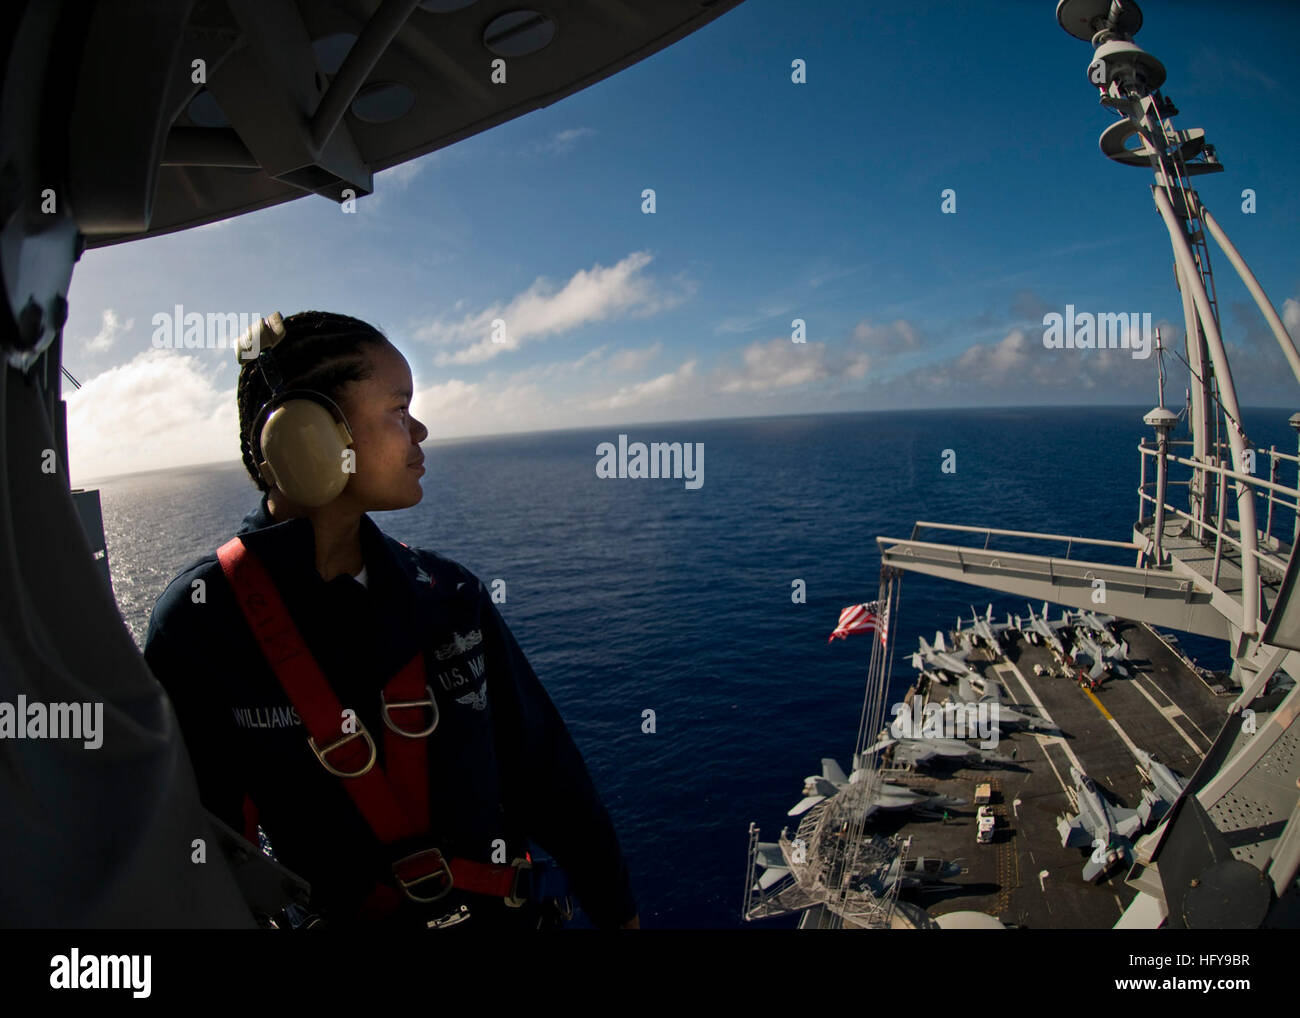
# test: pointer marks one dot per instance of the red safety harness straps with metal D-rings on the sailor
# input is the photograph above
(395, 800)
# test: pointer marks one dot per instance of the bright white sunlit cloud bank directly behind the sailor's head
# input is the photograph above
(162, 409)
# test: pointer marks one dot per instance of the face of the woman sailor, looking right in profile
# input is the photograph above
(385, 436)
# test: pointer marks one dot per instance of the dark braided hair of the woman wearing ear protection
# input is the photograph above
(320, 352)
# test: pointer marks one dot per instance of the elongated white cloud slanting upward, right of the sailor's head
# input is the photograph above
(593, 296)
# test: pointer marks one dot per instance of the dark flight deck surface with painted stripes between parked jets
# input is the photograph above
(1025, 877)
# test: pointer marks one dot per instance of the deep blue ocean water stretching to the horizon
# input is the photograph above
(632, 595)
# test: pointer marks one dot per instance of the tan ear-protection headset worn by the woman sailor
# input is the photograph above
(300, 436)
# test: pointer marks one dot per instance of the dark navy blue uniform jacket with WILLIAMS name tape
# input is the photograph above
(502, 764)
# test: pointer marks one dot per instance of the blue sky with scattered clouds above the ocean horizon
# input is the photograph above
(774, 201)
